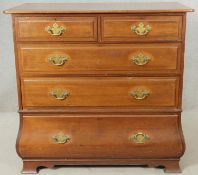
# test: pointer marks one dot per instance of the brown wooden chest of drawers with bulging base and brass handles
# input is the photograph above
(100, 84)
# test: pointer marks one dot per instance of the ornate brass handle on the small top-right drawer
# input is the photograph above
(141, 29)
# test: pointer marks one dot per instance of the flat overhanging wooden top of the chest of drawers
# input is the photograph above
(69, 8)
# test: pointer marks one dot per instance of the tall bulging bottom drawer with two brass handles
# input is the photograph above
(100, 136)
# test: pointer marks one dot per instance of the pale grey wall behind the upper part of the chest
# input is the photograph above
(8, 94)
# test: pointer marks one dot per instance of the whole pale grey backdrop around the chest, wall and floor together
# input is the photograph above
(11, 164)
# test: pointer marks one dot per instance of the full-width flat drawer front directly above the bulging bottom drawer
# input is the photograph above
(99, 91)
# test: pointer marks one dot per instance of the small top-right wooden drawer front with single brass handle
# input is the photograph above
(141, 28)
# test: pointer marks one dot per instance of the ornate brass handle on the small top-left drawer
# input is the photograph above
(55, 29)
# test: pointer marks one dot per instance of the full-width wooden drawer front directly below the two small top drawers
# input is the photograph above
(74, 59)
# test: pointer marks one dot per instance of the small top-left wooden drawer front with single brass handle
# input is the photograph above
(56, 28)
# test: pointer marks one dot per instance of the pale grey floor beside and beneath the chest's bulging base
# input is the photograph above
(11, 164)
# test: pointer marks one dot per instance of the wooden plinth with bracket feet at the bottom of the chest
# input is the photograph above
(169, 165)
